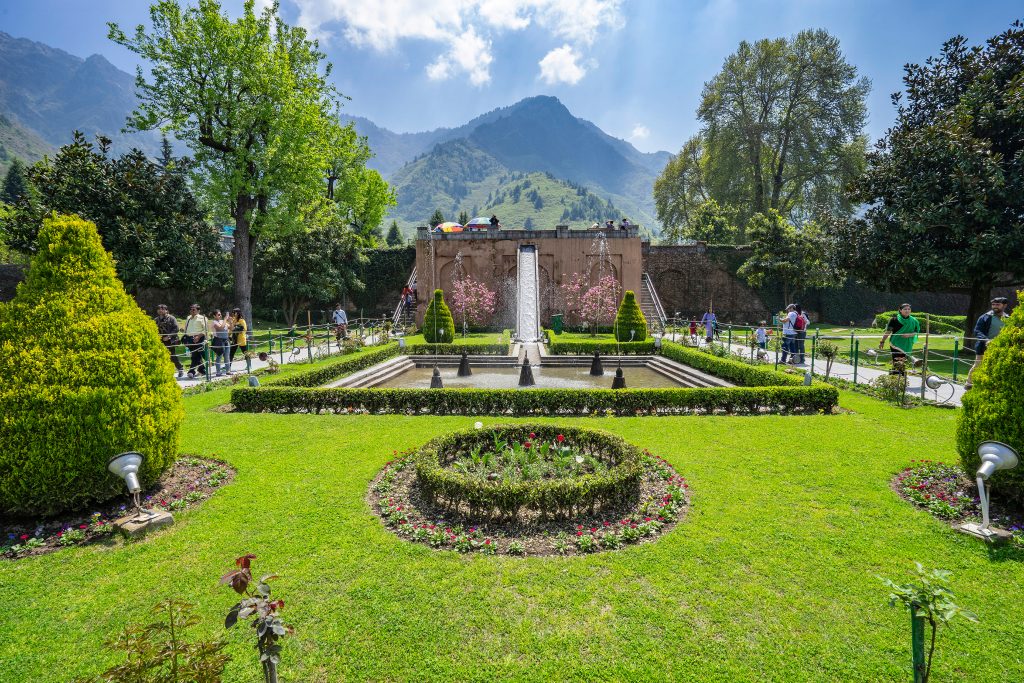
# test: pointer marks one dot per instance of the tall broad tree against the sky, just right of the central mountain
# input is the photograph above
(783, 131)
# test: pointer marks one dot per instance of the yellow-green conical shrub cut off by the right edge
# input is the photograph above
(994, 409)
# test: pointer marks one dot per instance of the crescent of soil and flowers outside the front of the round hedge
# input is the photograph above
(654, 514)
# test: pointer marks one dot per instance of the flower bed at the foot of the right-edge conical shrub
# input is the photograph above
(948, 493)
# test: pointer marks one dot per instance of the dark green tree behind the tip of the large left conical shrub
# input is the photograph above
(146, 212)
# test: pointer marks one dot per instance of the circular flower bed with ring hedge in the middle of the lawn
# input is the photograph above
(529, 490)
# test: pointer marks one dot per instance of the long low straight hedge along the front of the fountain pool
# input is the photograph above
(734, 401)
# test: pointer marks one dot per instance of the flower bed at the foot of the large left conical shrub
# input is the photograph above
(186, 485)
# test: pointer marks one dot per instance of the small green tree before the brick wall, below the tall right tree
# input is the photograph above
(785, 254)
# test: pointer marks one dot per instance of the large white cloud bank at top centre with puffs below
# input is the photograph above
(465, 27)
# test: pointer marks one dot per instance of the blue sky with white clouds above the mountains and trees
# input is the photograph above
(635, 68)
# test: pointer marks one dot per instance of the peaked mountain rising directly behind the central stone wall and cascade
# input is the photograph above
(454, 168)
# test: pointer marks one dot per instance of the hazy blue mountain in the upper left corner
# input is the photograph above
(51, 94)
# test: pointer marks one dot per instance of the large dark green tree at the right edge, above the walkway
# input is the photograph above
(945, 189)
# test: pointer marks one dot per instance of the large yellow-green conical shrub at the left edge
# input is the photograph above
(83, 377)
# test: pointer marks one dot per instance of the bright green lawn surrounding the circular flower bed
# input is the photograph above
(772, 577)
